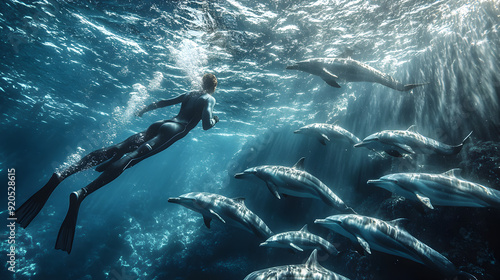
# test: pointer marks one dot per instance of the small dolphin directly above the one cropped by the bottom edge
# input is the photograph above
(300, 240)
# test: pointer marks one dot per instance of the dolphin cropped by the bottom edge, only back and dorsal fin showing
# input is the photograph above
(311, 270)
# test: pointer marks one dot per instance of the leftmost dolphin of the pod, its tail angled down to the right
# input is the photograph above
(226, 210)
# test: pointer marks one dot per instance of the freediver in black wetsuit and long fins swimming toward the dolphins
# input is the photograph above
(113, 160)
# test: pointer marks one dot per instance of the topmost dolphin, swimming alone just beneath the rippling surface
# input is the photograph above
(349, 70)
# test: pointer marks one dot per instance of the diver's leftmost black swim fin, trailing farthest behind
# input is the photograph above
(28, 211)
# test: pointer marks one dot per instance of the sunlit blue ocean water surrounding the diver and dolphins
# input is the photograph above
(72, 74)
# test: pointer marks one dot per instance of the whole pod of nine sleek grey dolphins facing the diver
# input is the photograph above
(446, 189)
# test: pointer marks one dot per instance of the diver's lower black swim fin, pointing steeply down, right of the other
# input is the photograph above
(67, 231)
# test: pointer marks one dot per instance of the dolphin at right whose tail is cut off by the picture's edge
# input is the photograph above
(446, 189)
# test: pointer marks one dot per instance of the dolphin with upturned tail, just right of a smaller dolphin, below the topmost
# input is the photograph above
(399, 142)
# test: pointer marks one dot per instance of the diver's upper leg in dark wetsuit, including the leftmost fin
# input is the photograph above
(28, 211)
